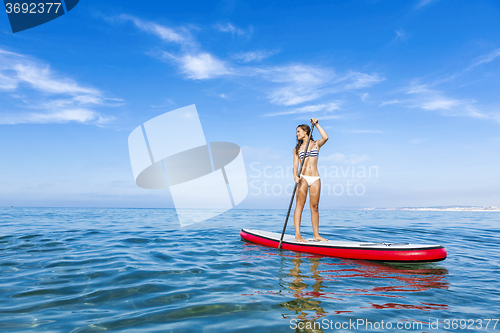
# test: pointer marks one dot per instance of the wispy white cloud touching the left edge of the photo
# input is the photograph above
(37, 86)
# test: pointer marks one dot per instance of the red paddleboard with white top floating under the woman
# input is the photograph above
(398, 252)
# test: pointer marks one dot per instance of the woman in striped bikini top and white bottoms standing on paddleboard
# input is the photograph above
(309, 178)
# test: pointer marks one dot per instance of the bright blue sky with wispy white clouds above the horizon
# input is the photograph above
(405, 89)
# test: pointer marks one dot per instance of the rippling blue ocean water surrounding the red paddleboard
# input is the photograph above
(137, 270)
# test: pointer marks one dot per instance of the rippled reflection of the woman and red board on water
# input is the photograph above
(315, 279)
